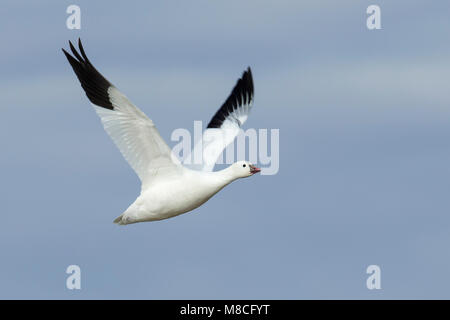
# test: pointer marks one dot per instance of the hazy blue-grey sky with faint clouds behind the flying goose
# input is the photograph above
(364, 120)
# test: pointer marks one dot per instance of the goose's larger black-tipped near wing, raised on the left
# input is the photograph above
(131, 130)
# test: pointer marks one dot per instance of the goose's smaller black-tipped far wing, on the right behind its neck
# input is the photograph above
(224, 125)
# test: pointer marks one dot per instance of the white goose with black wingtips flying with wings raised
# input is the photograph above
(168, 188)
